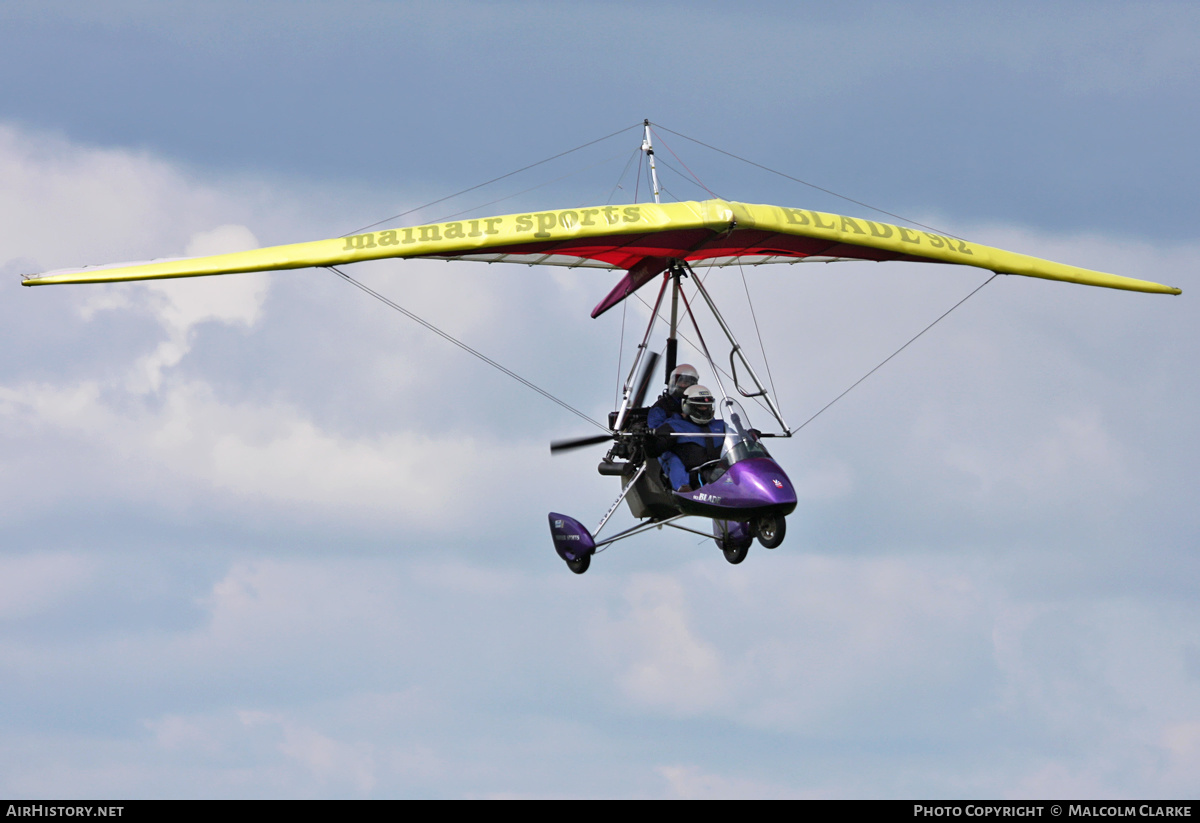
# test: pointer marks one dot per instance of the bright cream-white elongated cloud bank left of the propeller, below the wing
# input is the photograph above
(247, 454)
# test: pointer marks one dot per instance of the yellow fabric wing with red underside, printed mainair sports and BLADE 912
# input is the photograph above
(641, 239)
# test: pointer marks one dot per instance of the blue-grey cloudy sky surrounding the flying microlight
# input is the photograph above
(263, 538)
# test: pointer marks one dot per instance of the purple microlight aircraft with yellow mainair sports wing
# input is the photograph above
(746, 494)
